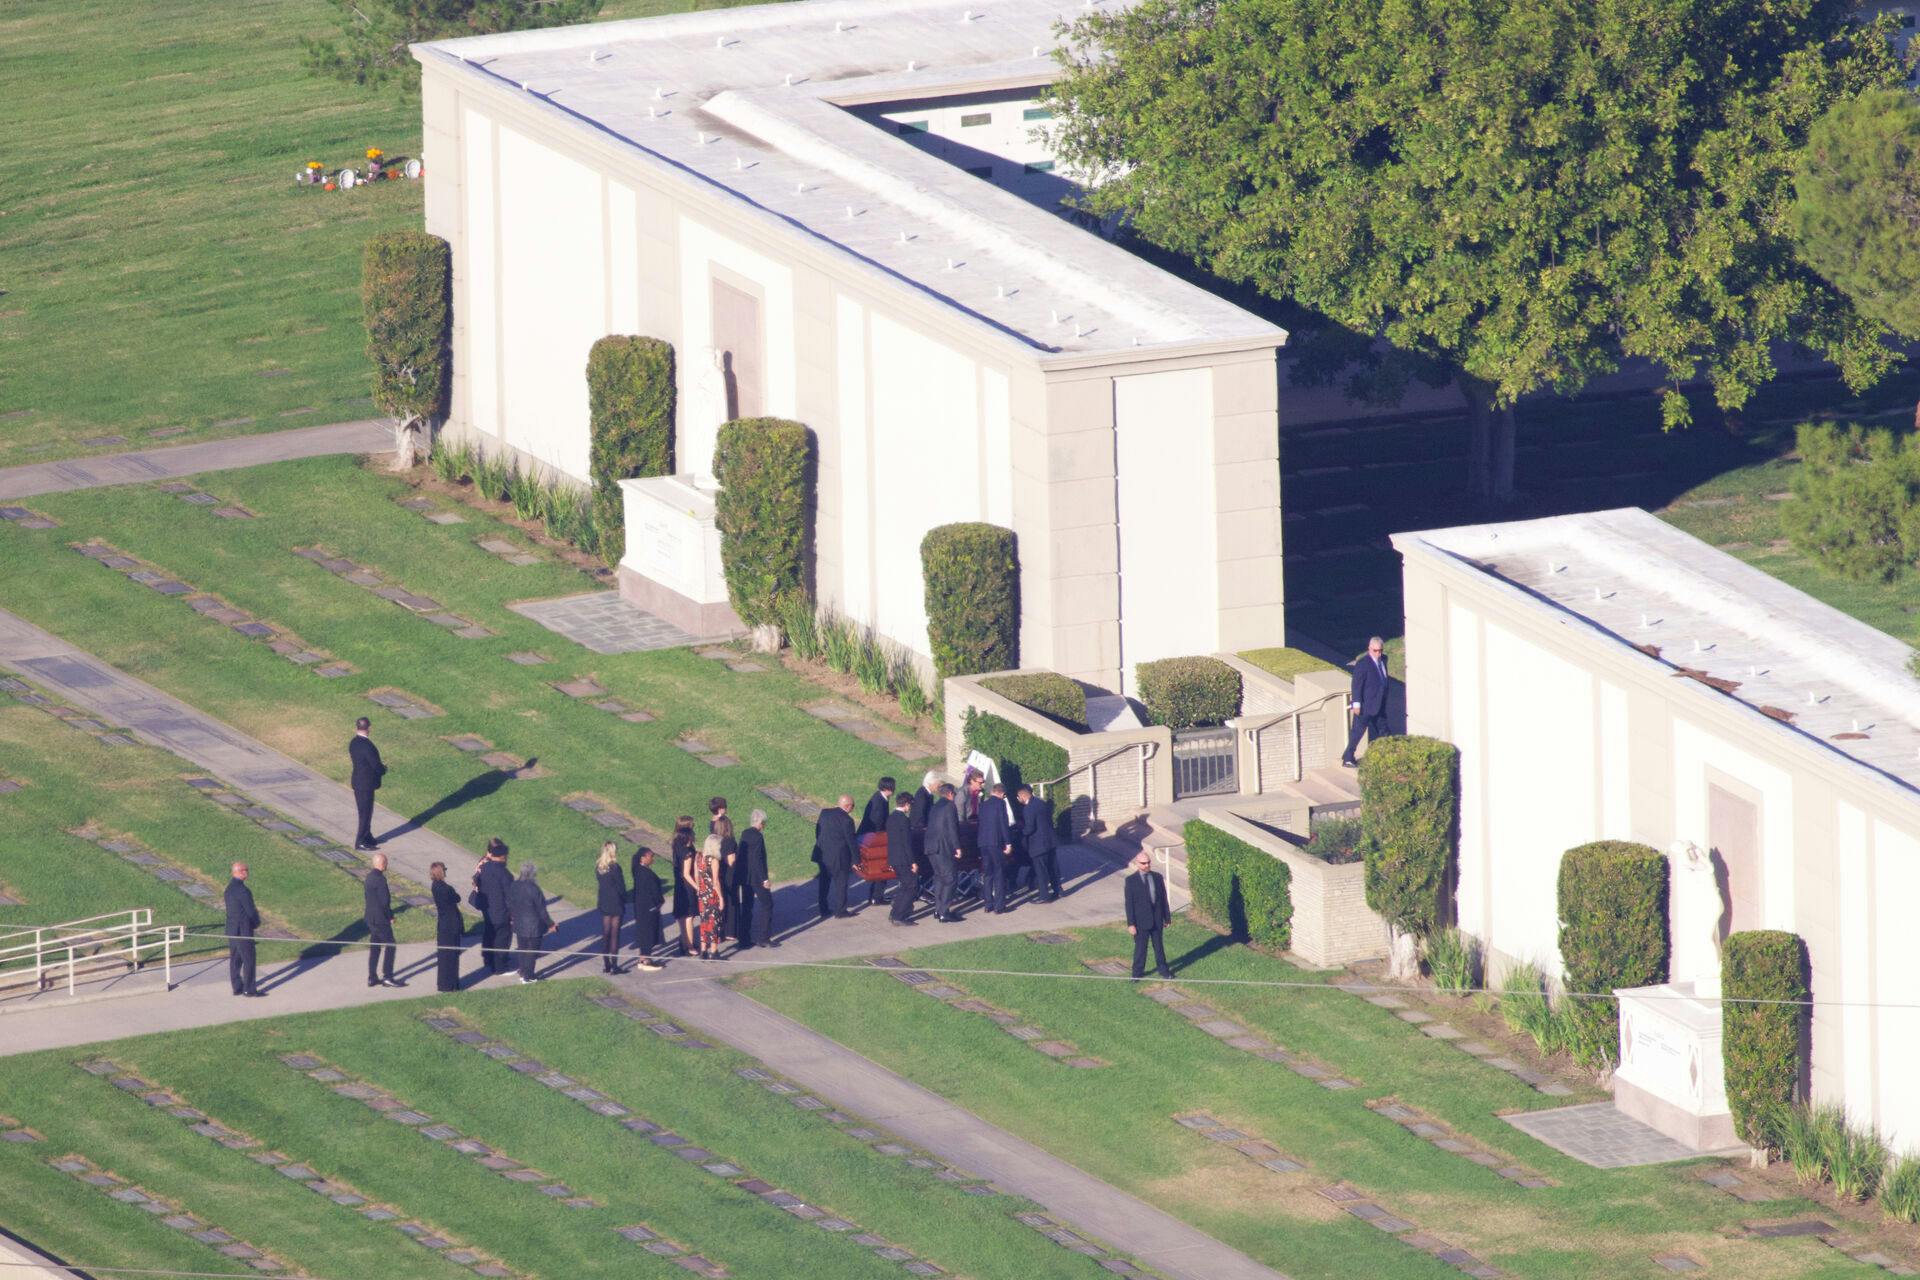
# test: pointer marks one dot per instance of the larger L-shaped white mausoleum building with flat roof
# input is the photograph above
(848, 214)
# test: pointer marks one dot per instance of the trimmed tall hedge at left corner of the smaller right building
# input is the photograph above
(1410, 807)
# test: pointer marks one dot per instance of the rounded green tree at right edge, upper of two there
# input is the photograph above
(1858, 206)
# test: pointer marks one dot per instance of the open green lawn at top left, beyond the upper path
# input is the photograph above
(164, 272)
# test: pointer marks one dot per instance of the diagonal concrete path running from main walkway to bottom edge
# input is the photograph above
(955, 1135)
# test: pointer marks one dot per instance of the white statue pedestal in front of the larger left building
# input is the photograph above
(673, 556)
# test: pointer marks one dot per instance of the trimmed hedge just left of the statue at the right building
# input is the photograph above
(1614, 934)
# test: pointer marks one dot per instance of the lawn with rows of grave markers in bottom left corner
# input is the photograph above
(235, 1078)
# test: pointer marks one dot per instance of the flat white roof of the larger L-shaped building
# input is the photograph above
(750, 101)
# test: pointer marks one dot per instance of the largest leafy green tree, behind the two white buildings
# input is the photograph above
(1522, 193)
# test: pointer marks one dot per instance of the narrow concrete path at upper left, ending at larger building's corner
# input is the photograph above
(176, 462)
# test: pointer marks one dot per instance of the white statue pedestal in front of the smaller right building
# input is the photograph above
(1671, 1074)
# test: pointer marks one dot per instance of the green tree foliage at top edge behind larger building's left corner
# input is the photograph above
(372, 47)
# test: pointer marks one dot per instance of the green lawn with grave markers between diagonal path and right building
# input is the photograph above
(1118, 1124)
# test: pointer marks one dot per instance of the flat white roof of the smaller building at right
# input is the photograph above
(1698, 611)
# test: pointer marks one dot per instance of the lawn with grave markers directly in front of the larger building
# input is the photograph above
(352, 513)
